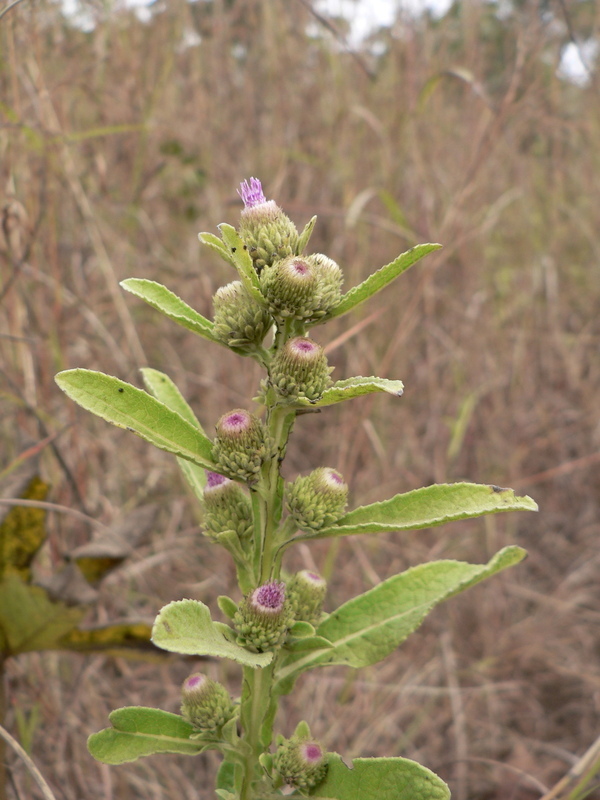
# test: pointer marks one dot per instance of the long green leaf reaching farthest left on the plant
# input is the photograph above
(128, 407)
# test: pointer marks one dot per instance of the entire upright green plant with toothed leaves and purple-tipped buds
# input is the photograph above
(279, 629)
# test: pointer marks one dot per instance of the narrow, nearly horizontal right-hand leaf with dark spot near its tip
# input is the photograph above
(426, 507)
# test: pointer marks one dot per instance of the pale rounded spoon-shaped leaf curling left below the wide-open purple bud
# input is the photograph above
(185, 627)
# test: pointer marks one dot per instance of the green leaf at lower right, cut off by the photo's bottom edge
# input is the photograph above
(380, 779)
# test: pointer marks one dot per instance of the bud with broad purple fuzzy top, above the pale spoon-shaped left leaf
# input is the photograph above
(264, 616)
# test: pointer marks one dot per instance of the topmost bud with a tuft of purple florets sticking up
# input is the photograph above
(267, 232)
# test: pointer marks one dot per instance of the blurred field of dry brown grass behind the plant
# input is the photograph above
(116, 147)
